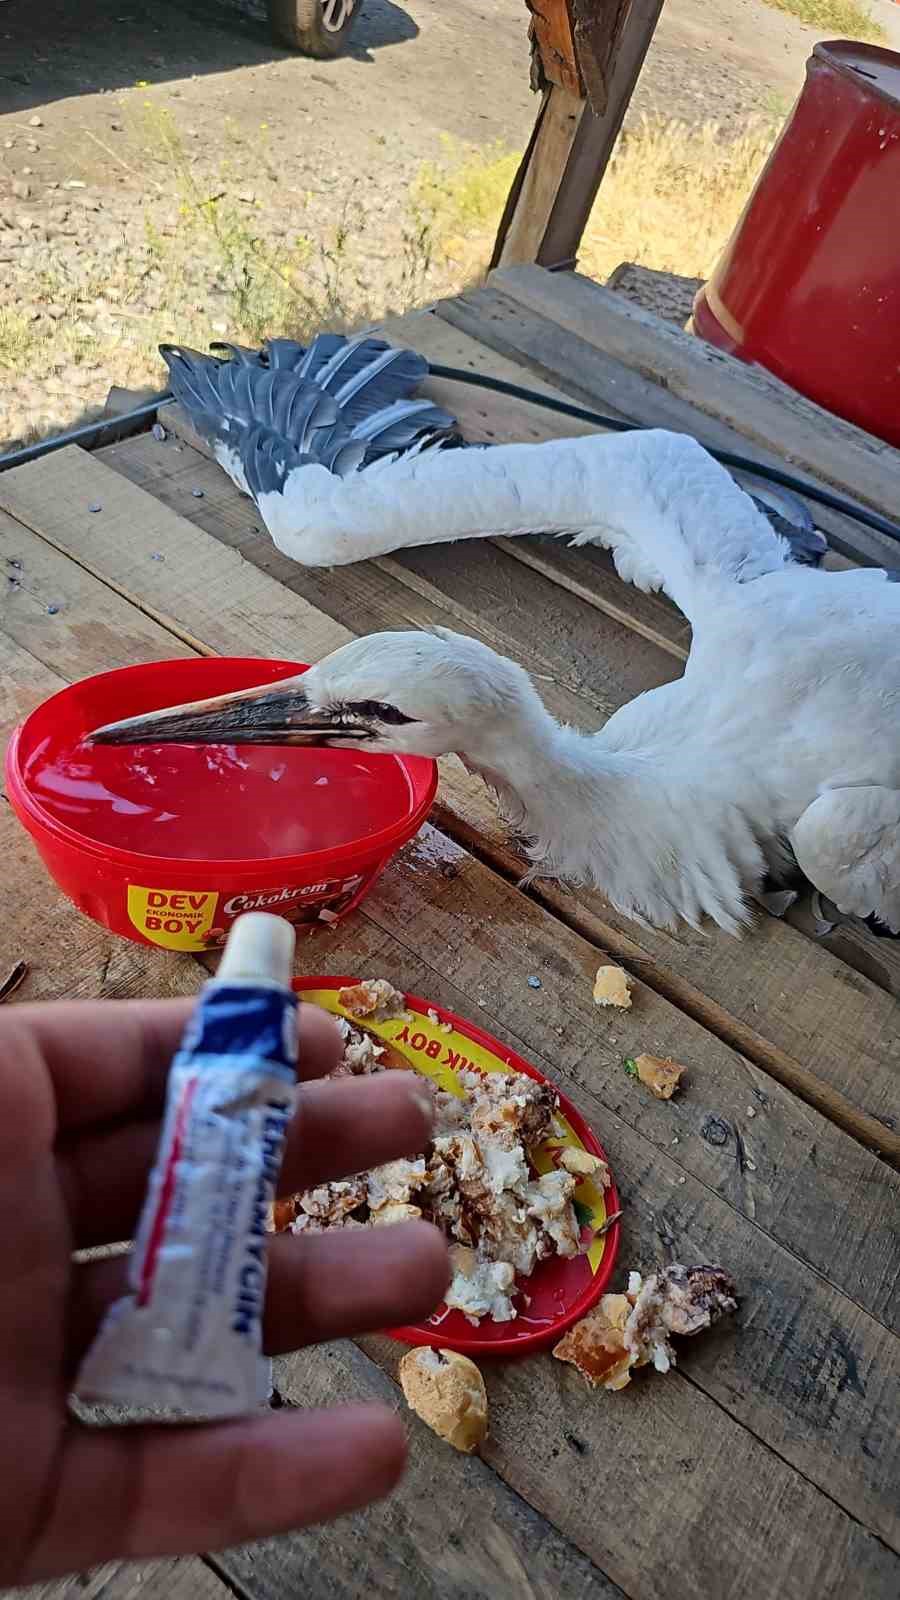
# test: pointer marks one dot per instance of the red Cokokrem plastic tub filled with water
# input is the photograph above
(79, 802)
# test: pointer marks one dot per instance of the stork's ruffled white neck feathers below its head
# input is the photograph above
(656, 838)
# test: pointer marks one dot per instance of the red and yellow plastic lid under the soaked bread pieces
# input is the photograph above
(560, 1290)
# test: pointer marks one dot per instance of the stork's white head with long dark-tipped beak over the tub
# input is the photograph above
(409, 694)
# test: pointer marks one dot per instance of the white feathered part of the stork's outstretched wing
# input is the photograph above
(648, 497)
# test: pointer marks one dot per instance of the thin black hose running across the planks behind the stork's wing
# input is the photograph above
(118, 426)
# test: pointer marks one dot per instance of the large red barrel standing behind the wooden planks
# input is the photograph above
(810, 284)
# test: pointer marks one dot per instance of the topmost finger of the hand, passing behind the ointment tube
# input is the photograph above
(110, 1058)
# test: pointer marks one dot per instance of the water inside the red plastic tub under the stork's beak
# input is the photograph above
(217, 802)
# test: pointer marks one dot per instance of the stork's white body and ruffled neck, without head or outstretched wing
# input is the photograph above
(699, 790)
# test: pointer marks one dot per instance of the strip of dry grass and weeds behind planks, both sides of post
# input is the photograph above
(207, 262)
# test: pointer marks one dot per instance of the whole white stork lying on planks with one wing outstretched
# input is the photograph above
(779, 745)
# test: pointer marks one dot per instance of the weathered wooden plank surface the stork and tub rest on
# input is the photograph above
(768, 1465)
